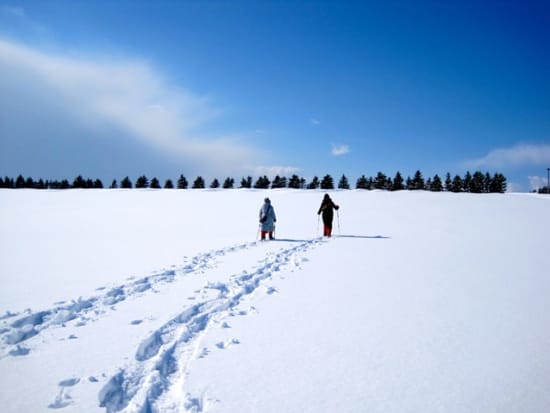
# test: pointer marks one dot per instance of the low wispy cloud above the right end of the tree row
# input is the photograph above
(518, 155)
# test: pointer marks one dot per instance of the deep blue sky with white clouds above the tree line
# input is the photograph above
(235, 88)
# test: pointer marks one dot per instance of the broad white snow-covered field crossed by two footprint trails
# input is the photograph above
(163, 301)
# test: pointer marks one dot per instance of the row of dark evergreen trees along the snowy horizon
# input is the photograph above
(477, 182)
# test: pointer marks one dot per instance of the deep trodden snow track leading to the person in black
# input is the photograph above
(155, 380)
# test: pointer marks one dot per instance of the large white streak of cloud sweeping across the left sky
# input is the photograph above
(130, 96)
